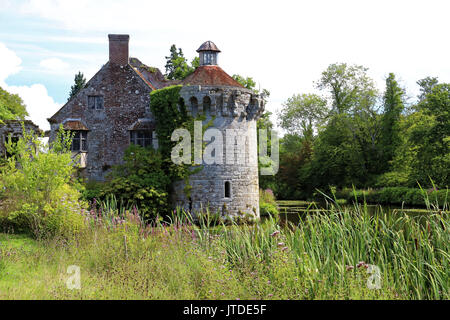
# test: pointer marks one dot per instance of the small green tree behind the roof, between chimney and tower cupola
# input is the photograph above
(177, 67)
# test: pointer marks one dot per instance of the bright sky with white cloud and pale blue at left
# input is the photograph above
(283, 45)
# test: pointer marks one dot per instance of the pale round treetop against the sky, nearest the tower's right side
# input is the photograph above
(302, 113)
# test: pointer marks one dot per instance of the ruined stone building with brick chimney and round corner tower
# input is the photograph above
(113, 110)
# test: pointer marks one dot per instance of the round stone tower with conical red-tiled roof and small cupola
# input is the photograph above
(231, 186)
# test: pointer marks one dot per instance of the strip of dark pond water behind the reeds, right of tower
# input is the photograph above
(294, 211)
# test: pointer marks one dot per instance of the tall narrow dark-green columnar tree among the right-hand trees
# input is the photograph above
(390, 131)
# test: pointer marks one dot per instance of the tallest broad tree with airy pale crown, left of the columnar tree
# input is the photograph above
(353, 98)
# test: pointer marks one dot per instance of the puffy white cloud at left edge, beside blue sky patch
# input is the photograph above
(39, 104)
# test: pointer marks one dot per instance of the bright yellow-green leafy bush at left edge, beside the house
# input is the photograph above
(38, 187)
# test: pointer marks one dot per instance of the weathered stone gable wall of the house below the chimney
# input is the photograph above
(126, 100)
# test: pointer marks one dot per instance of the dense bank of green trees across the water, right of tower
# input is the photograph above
(355, 136)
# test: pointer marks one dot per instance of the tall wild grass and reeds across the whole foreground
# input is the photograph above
(326, 256)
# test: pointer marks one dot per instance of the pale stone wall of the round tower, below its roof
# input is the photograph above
(231, 108)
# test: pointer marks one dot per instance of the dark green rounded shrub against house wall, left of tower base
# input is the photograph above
(140, 181)
